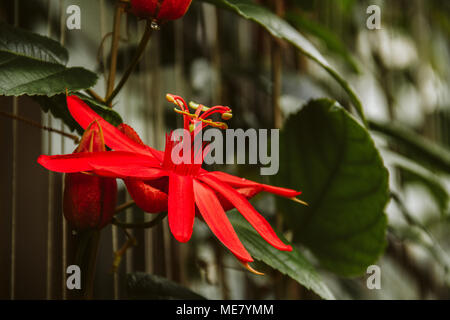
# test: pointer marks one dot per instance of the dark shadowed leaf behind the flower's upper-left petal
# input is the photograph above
(58, 107)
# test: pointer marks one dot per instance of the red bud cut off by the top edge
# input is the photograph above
(160, 9)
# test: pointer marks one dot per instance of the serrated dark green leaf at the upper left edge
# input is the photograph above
(35, 65)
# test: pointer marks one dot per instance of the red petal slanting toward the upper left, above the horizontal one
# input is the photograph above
(115, 139)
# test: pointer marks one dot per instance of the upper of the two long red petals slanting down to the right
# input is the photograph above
(246, 209)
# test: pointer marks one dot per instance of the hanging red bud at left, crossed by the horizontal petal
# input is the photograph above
(89, 201)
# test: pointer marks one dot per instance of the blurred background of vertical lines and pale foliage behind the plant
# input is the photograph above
(401, 73)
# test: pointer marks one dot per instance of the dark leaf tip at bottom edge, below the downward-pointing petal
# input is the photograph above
(147, 286)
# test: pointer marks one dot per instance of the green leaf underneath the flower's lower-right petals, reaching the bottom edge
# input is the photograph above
(293, 263)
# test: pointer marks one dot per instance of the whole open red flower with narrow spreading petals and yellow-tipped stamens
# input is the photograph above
(154, 180)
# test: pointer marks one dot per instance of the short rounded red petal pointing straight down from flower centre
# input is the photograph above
(181, 206)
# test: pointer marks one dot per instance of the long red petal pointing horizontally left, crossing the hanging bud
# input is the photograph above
(84, 161)
